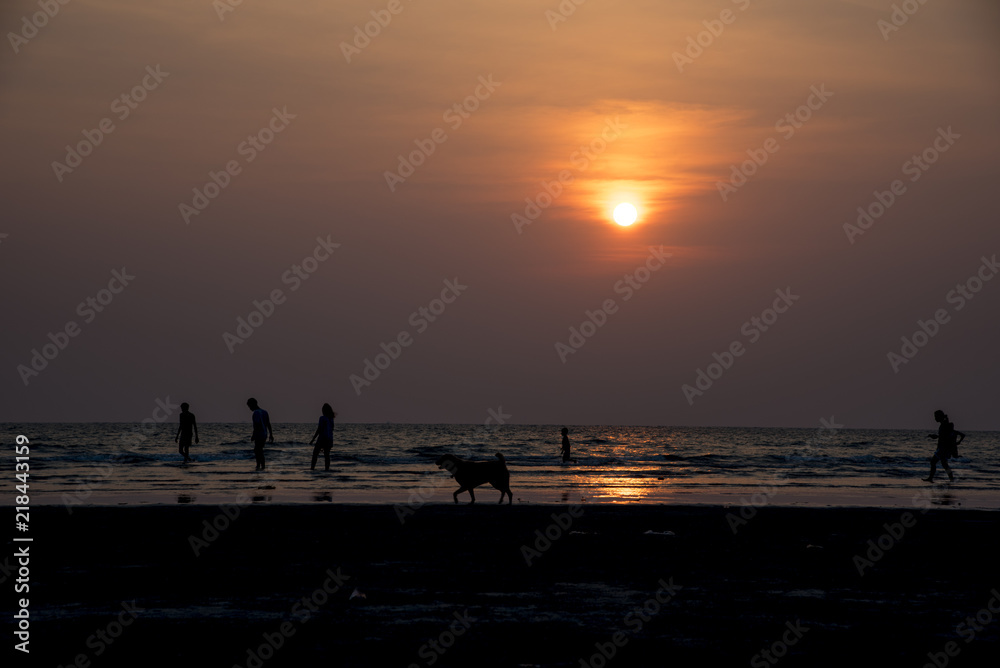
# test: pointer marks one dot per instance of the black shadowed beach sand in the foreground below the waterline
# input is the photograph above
(737, 591)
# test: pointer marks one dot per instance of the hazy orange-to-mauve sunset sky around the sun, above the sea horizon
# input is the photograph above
(324, 174)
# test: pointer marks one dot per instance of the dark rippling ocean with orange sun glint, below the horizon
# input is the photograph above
(112, 464)
